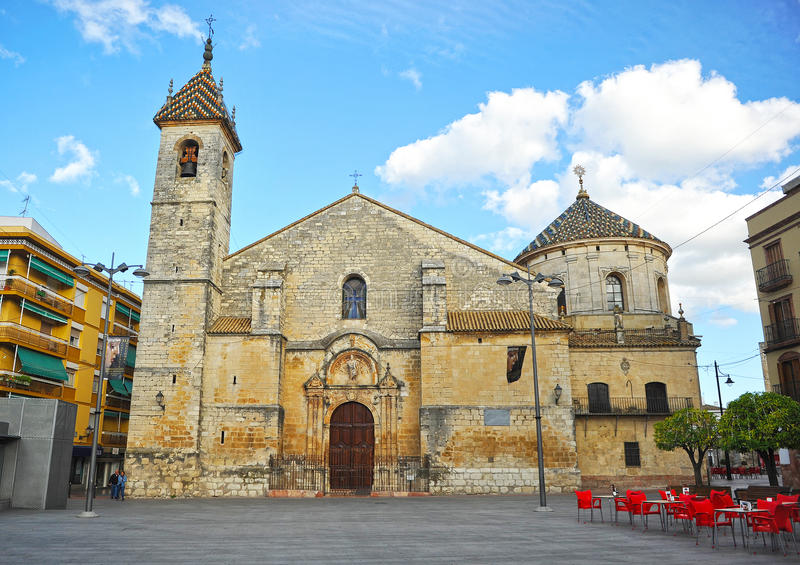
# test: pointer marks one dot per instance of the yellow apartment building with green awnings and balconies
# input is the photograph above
(51, 339)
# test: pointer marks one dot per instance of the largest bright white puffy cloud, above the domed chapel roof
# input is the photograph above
(670, 121)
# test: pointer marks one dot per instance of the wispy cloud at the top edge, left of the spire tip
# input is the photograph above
(115, 22)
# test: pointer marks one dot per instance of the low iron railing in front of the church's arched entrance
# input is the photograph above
(402, 474)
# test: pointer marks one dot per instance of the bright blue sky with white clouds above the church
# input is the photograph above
(466, 115)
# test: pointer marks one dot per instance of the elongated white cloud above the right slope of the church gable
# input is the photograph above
(504, 139)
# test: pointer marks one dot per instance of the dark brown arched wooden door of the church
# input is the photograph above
(352, 447)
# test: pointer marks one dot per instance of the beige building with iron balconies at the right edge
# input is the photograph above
(774, 242)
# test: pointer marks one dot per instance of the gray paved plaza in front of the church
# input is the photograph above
(464, 529)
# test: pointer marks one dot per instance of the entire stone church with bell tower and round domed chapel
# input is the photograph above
(360, 349)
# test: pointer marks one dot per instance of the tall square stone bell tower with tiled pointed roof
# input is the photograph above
(189, 237)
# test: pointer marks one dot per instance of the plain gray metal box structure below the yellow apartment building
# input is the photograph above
(35, 452)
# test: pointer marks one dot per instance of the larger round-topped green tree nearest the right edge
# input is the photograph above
(761, 422)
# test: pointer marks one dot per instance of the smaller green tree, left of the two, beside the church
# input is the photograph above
(690, 429)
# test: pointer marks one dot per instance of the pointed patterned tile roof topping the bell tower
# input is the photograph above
(200, 99)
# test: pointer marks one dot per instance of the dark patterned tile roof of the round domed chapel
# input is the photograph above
(586, 219)
